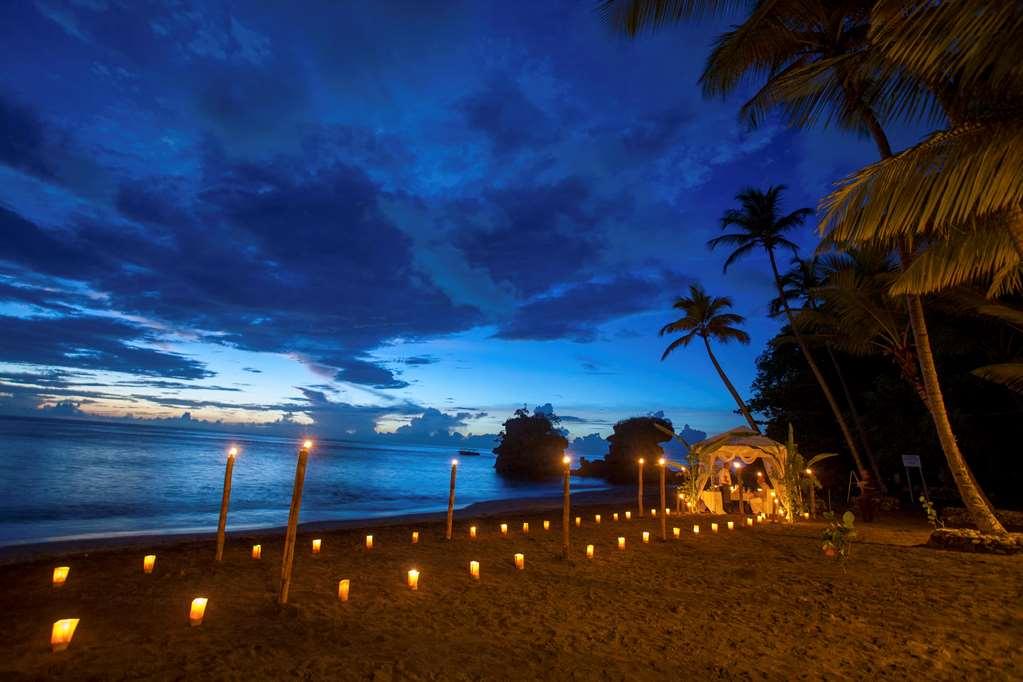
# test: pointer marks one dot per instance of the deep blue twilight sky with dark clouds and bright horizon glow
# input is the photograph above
(385, 216)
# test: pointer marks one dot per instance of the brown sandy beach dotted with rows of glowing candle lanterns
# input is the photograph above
(760, 604)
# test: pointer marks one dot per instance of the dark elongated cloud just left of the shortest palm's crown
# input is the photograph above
(577, 312)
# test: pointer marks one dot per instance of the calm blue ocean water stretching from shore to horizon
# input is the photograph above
(63, 479)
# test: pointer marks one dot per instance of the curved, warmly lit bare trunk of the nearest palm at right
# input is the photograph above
(973, 497)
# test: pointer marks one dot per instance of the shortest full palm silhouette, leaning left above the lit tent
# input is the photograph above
(707, 319)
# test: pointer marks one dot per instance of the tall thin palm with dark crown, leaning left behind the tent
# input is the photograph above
(761, 226)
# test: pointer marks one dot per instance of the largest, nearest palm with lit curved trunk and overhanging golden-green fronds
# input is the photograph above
(835, 61)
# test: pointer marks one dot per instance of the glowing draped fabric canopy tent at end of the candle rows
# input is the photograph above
(743, 444)
